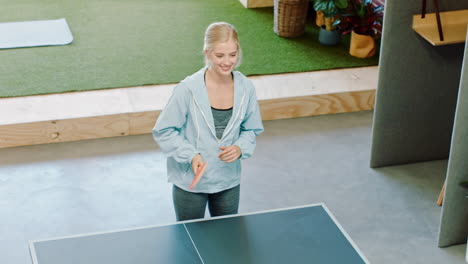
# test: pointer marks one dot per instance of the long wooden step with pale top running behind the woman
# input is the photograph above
(76, 116)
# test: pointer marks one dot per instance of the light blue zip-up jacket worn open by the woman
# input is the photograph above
(185, 127)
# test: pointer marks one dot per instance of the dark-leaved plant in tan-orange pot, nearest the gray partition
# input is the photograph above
(363, 20)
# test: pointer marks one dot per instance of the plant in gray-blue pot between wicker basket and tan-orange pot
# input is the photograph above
(329, 34)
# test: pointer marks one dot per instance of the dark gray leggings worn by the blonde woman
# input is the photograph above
(190, 205)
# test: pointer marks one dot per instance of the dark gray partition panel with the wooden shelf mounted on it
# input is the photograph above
(417, 89)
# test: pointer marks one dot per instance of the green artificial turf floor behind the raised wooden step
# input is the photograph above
(121, 43)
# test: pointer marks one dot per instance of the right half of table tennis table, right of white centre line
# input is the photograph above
(306, 235)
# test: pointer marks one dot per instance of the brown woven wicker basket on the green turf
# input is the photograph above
(290, 17)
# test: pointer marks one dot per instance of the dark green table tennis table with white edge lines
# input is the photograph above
(304, 234)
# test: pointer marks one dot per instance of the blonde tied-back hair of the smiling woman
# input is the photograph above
(220, 32)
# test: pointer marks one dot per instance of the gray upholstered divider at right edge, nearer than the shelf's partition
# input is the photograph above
(454, 223)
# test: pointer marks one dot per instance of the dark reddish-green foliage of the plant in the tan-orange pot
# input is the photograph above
(362, 17)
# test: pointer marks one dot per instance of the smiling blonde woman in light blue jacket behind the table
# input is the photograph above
(212, 117)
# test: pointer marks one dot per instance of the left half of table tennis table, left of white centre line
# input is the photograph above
(166, 244)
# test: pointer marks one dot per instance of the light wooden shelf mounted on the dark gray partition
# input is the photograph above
(454, 26)
